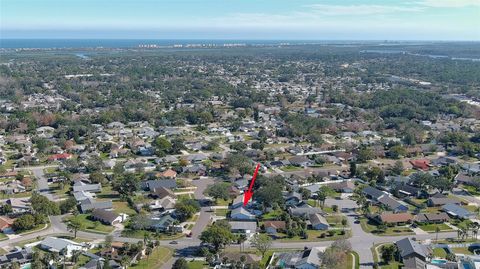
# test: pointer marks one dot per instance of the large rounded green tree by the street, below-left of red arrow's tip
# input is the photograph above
(218, 235)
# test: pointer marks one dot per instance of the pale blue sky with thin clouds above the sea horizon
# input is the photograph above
(242, 19)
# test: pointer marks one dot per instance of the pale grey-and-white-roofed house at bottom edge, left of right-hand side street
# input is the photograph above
(306, 259)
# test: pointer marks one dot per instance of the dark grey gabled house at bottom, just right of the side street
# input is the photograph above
(413, 254)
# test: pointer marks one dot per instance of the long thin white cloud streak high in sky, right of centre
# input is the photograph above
(361, 10)
